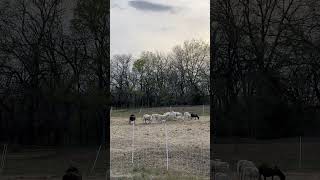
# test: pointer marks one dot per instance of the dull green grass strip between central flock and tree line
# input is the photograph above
(200, 110)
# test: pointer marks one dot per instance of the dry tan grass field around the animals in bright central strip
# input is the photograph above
(188, 144)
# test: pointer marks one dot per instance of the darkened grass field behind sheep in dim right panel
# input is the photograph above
(281, 152)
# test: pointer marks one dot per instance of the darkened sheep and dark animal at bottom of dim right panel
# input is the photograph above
(246, 170)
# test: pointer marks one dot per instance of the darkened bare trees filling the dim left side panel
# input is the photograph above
(54, 73)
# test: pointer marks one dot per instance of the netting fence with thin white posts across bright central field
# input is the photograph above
(157, 148)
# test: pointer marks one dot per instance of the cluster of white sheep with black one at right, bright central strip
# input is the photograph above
(168, 116)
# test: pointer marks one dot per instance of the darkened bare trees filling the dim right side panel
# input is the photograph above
(265, 68)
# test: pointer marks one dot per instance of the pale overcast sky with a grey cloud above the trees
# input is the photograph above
(156, 25)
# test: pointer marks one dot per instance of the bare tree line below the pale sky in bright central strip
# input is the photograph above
(179, 77)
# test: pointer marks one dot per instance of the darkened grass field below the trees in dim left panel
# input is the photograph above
(44, 161)
